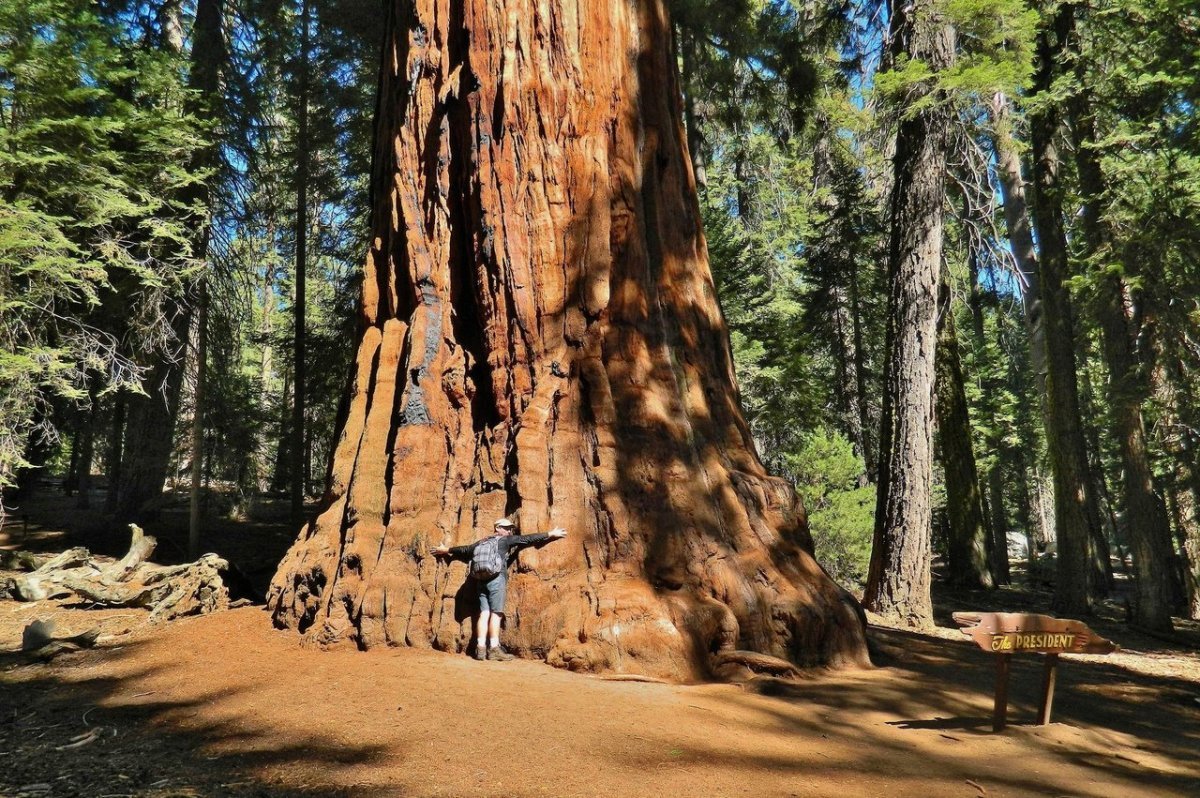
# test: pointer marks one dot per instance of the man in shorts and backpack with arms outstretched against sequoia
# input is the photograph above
(489, 561)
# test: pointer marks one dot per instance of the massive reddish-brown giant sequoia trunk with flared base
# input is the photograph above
(541, 338)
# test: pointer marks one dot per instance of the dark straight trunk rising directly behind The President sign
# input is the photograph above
(1077, 518)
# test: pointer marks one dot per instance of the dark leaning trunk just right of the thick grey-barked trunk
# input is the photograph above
(969, 536)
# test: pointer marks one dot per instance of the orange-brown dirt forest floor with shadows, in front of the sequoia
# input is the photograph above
(227, 706)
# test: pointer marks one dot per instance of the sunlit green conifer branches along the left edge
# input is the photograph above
(93, 231)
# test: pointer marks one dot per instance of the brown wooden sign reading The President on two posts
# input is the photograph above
(1009, 633)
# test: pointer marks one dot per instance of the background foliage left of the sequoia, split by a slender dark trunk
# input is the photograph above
(253, 368)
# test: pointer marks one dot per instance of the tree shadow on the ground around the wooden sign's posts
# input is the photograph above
(922, 725)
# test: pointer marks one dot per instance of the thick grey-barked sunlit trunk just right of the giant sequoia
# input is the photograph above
(899, 578)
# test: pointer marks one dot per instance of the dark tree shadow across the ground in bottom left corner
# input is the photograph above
(69, 733)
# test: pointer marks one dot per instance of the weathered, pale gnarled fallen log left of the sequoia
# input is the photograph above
(167, 591)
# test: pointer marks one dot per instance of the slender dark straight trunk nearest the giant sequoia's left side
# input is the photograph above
(302, 267)
